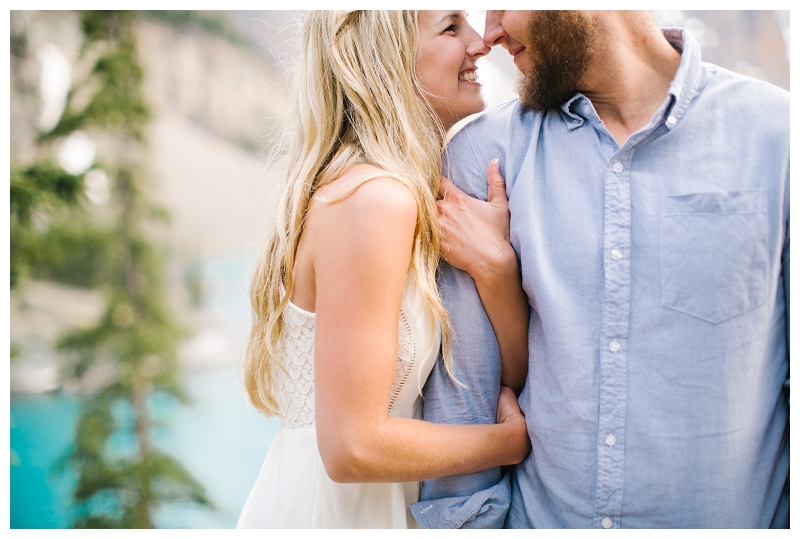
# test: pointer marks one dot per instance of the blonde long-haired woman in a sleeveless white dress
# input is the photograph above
(347, 316)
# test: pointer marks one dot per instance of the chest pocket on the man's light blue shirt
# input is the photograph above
(713, 250)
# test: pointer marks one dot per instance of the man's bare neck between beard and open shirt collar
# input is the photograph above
(629, 77)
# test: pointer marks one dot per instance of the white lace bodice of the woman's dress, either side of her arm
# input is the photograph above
(295, 386)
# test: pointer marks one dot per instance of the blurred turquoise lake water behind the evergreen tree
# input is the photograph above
(218, 438)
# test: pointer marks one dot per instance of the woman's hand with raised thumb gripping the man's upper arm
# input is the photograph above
(475, 234)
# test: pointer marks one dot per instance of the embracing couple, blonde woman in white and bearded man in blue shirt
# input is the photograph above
(587, 328)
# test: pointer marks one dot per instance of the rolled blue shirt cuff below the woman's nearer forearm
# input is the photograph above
(485, 509)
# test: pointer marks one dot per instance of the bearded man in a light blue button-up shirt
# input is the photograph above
(649, 201)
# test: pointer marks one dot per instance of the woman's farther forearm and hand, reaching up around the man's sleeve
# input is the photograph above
(475, 238)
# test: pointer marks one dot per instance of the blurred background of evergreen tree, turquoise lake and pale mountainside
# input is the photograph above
(140, 191)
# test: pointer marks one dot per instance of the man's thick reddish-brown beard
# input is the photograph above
(561, 48)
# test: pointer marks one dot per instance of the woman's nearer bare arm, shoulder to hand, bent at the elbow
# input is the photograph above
(361, 251)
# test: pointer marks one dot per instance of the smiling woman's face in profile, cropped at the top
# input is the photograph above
(446, 55)
